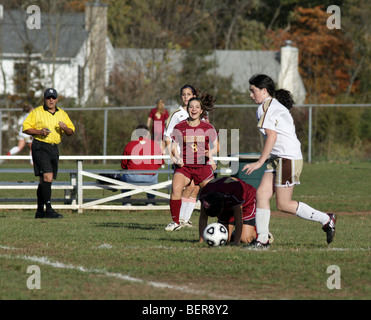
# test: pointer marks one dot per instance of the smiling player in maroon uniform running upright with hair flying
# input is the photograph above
(198, 143)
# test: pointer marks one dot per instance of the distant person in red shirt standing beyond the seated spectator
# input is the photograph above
(157, 118)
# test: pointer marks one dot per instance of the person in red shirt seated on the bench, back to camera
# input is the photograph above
(143, 145)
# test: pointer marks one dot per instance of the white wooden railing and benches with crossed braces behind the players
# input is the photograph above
(74, 189)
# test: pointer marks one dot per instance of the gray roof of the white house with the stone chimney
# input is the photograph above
(15, 34)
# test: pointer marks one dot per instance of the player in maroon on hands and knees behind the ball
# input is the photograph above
(233, 202)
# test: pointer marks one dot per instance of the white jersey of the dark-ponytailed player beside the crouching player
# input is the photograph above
(272, 115)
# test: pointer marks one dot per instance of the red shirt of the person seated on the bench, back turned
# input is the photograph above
(142, 147)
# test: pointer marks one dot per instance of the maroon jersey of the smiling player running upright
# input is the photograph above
(194, 141)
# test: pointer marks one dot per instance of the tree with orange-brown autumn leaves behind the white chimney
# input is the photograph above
(325, 55)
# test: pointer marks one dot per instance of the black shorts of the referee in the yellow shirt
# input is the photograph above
(45, 158)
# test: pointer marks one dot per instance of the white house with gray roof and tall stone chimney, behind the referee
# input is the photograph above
(64, 51)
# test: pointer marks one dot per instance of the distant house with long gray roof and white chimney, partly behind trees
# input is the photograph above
(240, 65)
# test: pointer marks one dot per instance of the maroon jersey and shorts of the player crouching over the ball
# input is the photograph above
(237, 193)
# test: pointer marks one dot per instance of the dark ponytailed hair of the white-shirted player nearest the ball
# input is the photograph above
(283, 96)
